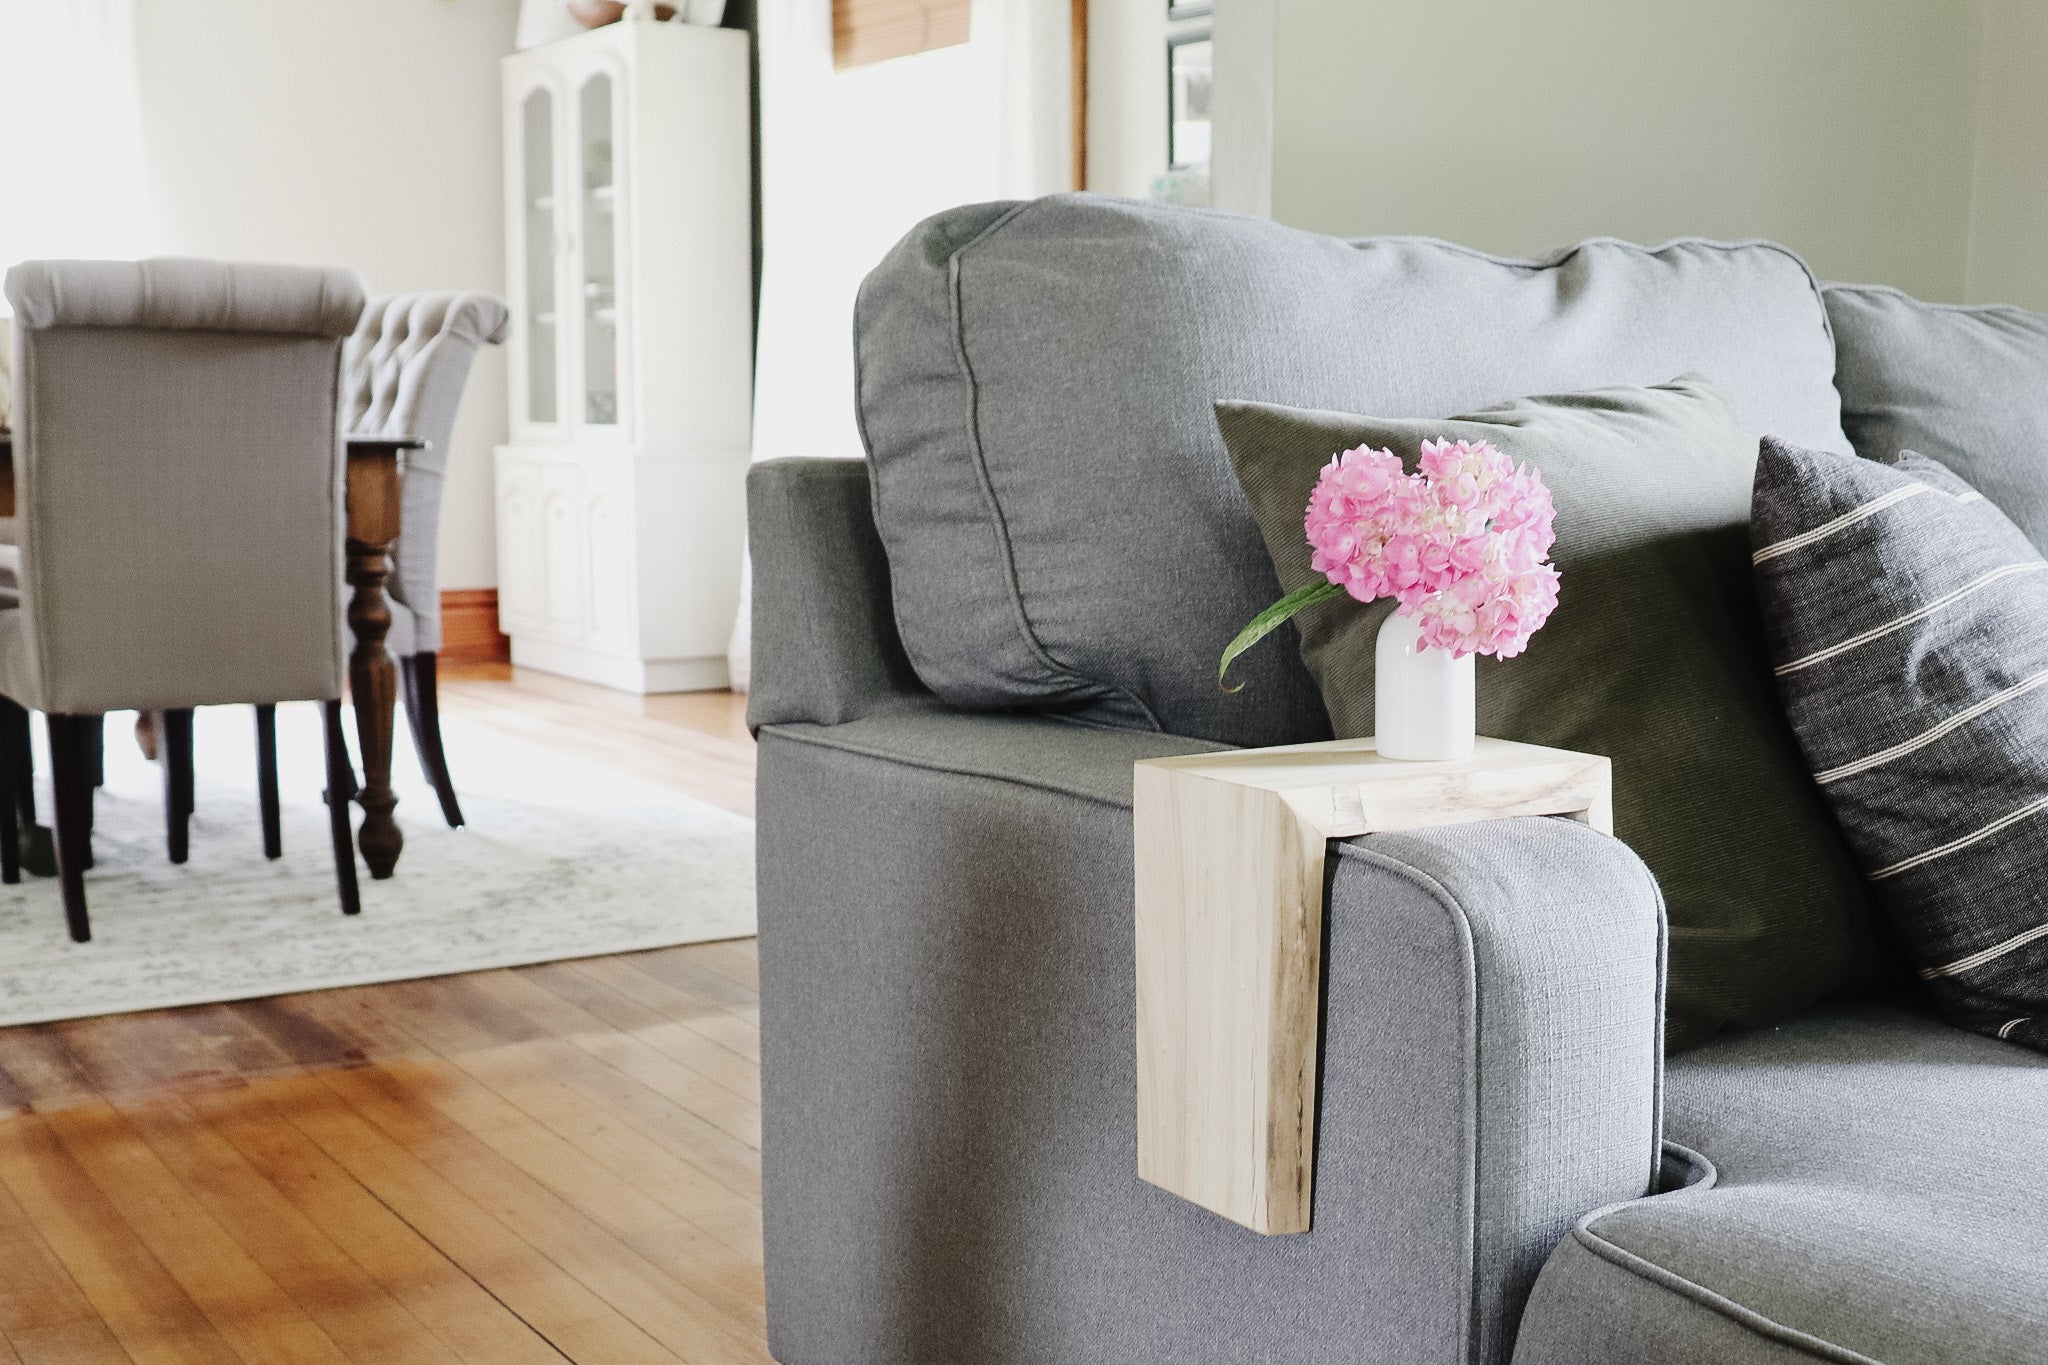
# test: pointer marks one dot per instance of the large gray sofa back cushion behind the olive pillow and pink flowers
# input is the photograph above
(1035, 392)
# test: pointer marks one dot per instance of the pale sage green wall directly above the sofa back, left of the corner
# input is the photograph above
(1840, 128)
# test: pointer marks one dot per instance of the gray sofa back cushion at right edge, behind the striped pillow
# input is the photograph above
(1963, 386)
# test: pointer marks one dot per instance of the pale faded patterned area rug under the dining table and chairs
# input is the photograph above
(560, 861)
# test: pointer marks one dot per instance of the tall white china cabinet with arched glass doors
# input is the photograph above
(622, 494)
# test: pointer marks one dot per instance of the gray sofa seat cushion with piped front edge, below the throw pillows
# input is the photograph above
(1877, 1198)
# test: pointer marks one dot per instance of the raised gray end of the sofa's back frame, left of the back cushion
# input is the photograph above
(824, 642)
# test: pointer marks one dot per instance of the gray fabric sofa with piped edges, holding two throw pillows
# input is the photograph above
(964, 644)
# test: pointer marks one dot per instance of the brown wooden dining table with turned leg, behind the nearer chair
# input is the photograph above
(376, 476)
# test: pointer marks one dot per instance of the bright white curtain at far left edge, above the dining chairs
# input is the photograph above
(71, 140)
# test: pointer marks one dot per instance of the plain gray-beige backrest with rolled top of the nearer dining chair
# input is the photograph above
(179, 480)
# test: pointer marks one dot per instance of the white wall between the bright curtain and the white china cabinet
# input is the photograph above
(343, 132)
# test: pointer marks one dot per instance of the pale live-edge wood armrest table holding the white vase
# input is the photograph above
(1230, 932)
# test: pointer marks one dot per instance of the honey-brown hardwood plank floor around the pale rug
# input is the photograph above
(552, 1163)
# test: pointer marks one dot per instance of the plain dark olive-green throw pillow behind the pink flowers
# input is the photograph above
(1654, 658)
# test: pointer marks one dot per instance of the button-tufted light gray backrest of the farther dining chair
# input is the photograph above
(402, 376)
